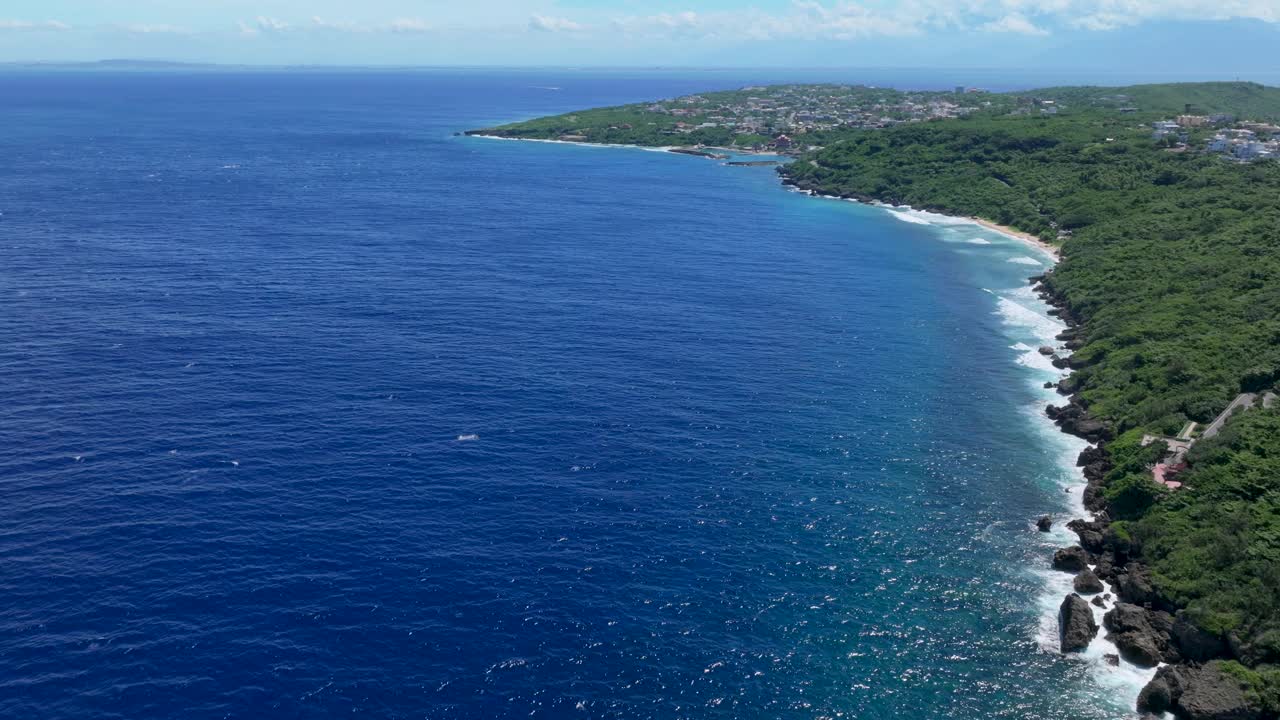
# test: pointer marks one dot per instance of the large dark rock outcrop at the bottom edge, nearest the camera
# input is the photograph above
(1197, 694)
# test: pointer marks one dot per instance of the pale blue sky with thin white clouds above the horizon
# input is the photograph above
(1215, 37)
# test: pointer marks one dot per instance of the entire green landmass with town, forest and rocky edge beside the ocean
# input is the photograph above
(1165, 204)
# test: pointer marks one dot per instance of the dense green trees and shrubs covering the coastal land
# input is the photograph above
(1172, 266)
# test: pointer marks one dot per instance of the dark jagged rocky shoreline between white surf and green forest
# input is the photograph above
(1148, 630)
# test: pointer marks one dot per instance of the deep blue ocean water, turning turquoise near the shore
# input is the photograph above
(739, 453)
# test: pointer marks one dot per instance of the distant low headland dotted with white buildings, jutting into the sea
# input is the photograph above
(816, 116)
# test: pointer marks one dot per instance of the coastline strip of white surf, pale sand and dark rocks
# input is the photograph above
(1141, 646)
